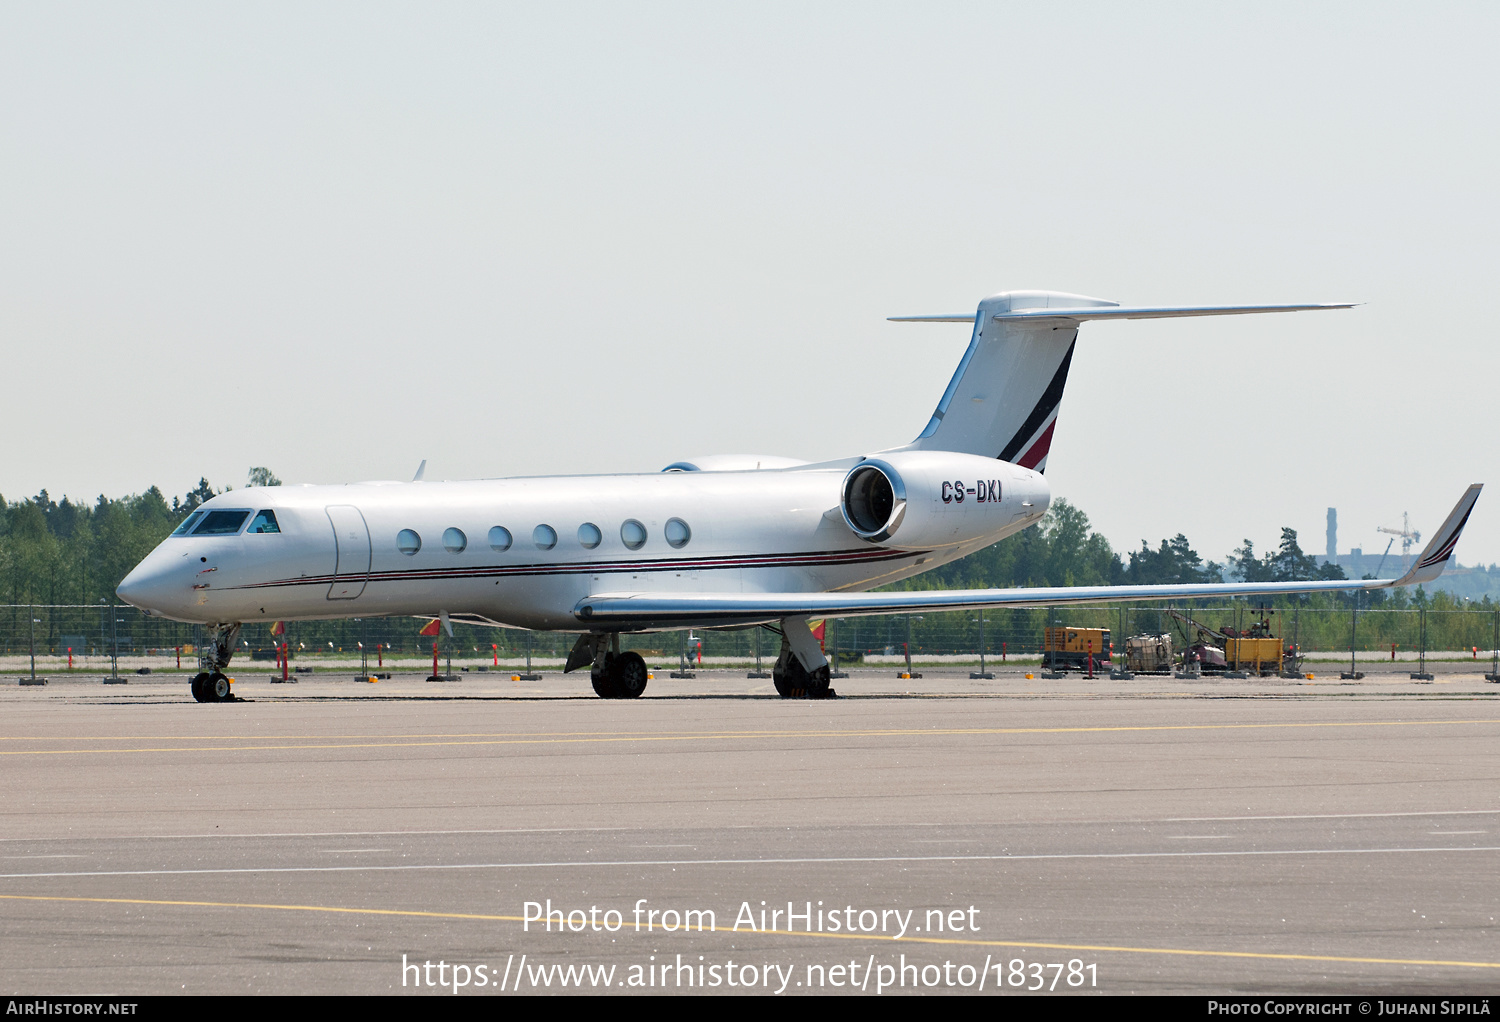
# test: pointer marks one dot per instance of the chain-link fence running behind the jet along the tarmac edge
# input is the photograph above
(97, 631)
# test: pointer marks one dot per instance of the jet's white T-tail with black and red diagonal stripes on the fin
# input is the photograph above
(1007, 391)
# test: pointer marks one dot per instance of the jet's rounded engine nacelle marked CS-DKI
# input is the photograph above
(940, 499)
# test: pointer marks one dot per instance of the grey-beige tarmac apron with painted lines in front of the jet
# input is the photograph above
(1150, 837)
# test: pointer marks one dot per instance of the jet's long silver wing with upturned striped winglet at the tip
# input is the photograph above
(680, 610)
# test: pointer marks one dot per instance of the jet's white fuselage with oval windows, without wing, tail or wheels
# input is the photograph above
(422, 549)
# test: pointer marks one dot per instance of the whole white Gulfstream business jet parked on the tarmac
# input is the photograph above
(710, 543)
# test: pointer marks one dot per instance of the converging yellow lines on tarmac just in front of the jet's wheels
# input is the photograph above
(583, 738)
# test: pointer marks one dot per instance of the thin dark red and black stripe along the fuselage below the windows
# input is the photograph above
(601, 568)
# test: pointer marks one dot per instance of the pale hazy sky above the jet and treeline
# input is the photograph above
(337, 239)
